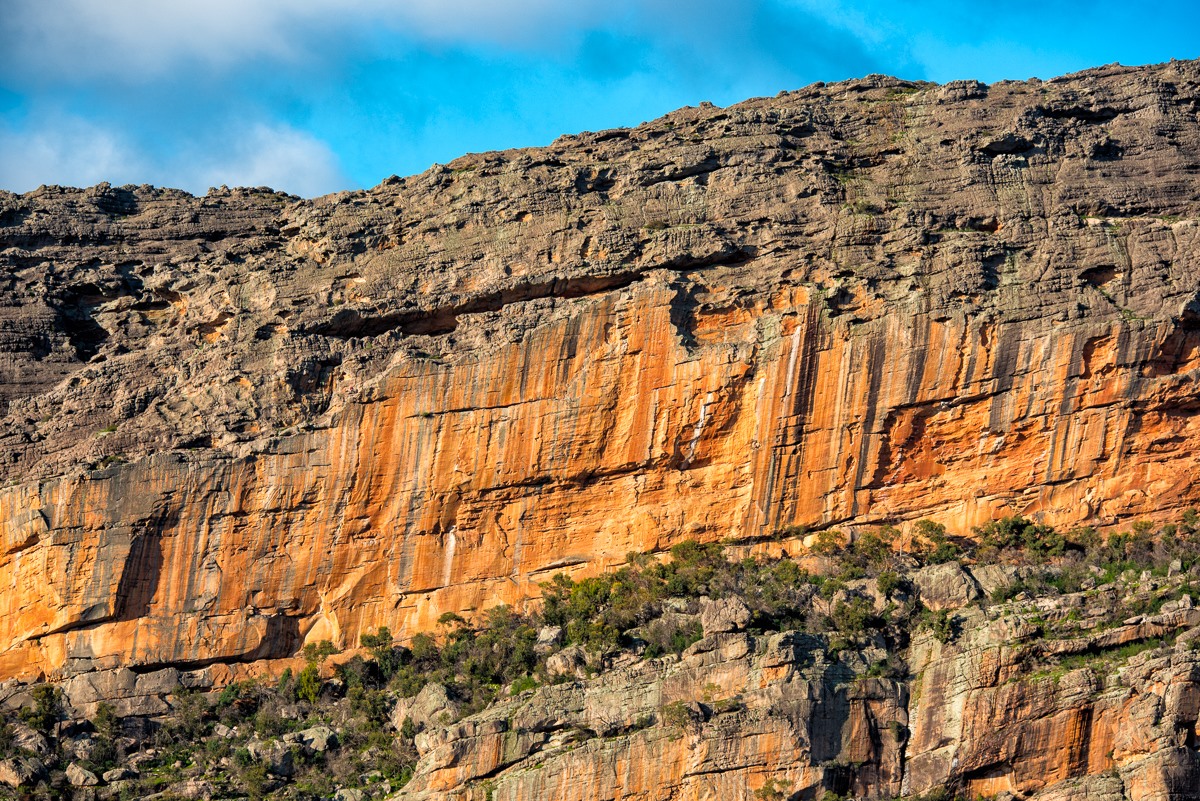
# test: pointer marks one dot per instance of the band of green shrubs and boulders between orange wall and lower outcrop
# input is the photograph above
(256, 739)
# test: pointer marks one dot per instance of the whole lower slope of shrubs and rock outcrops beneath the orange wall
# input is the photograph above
(1001, 682)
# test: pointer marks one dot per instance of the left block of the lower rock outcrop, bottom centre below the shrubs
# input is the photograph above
(735, 714)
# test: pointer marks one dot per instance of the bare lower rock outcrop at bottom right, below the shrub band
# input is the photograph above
(742, 716)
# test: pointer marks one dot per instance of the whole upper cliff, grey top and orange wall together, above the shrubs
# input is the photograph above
(244, 421)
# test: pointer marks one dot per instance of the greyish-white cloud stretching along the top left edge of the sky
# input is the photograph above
(135, 38)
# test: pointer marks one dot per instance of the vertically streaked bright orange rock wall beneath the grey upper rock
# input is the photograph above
(463, 486)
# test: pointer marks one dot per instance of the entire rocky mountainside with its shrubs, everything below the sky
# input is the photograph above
(242, 426)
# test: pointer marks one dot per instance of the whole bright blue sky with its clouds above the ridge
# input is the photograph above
(315, 97)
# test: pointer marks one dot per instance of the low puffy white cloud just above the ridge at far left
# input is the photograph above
(71, 152)
